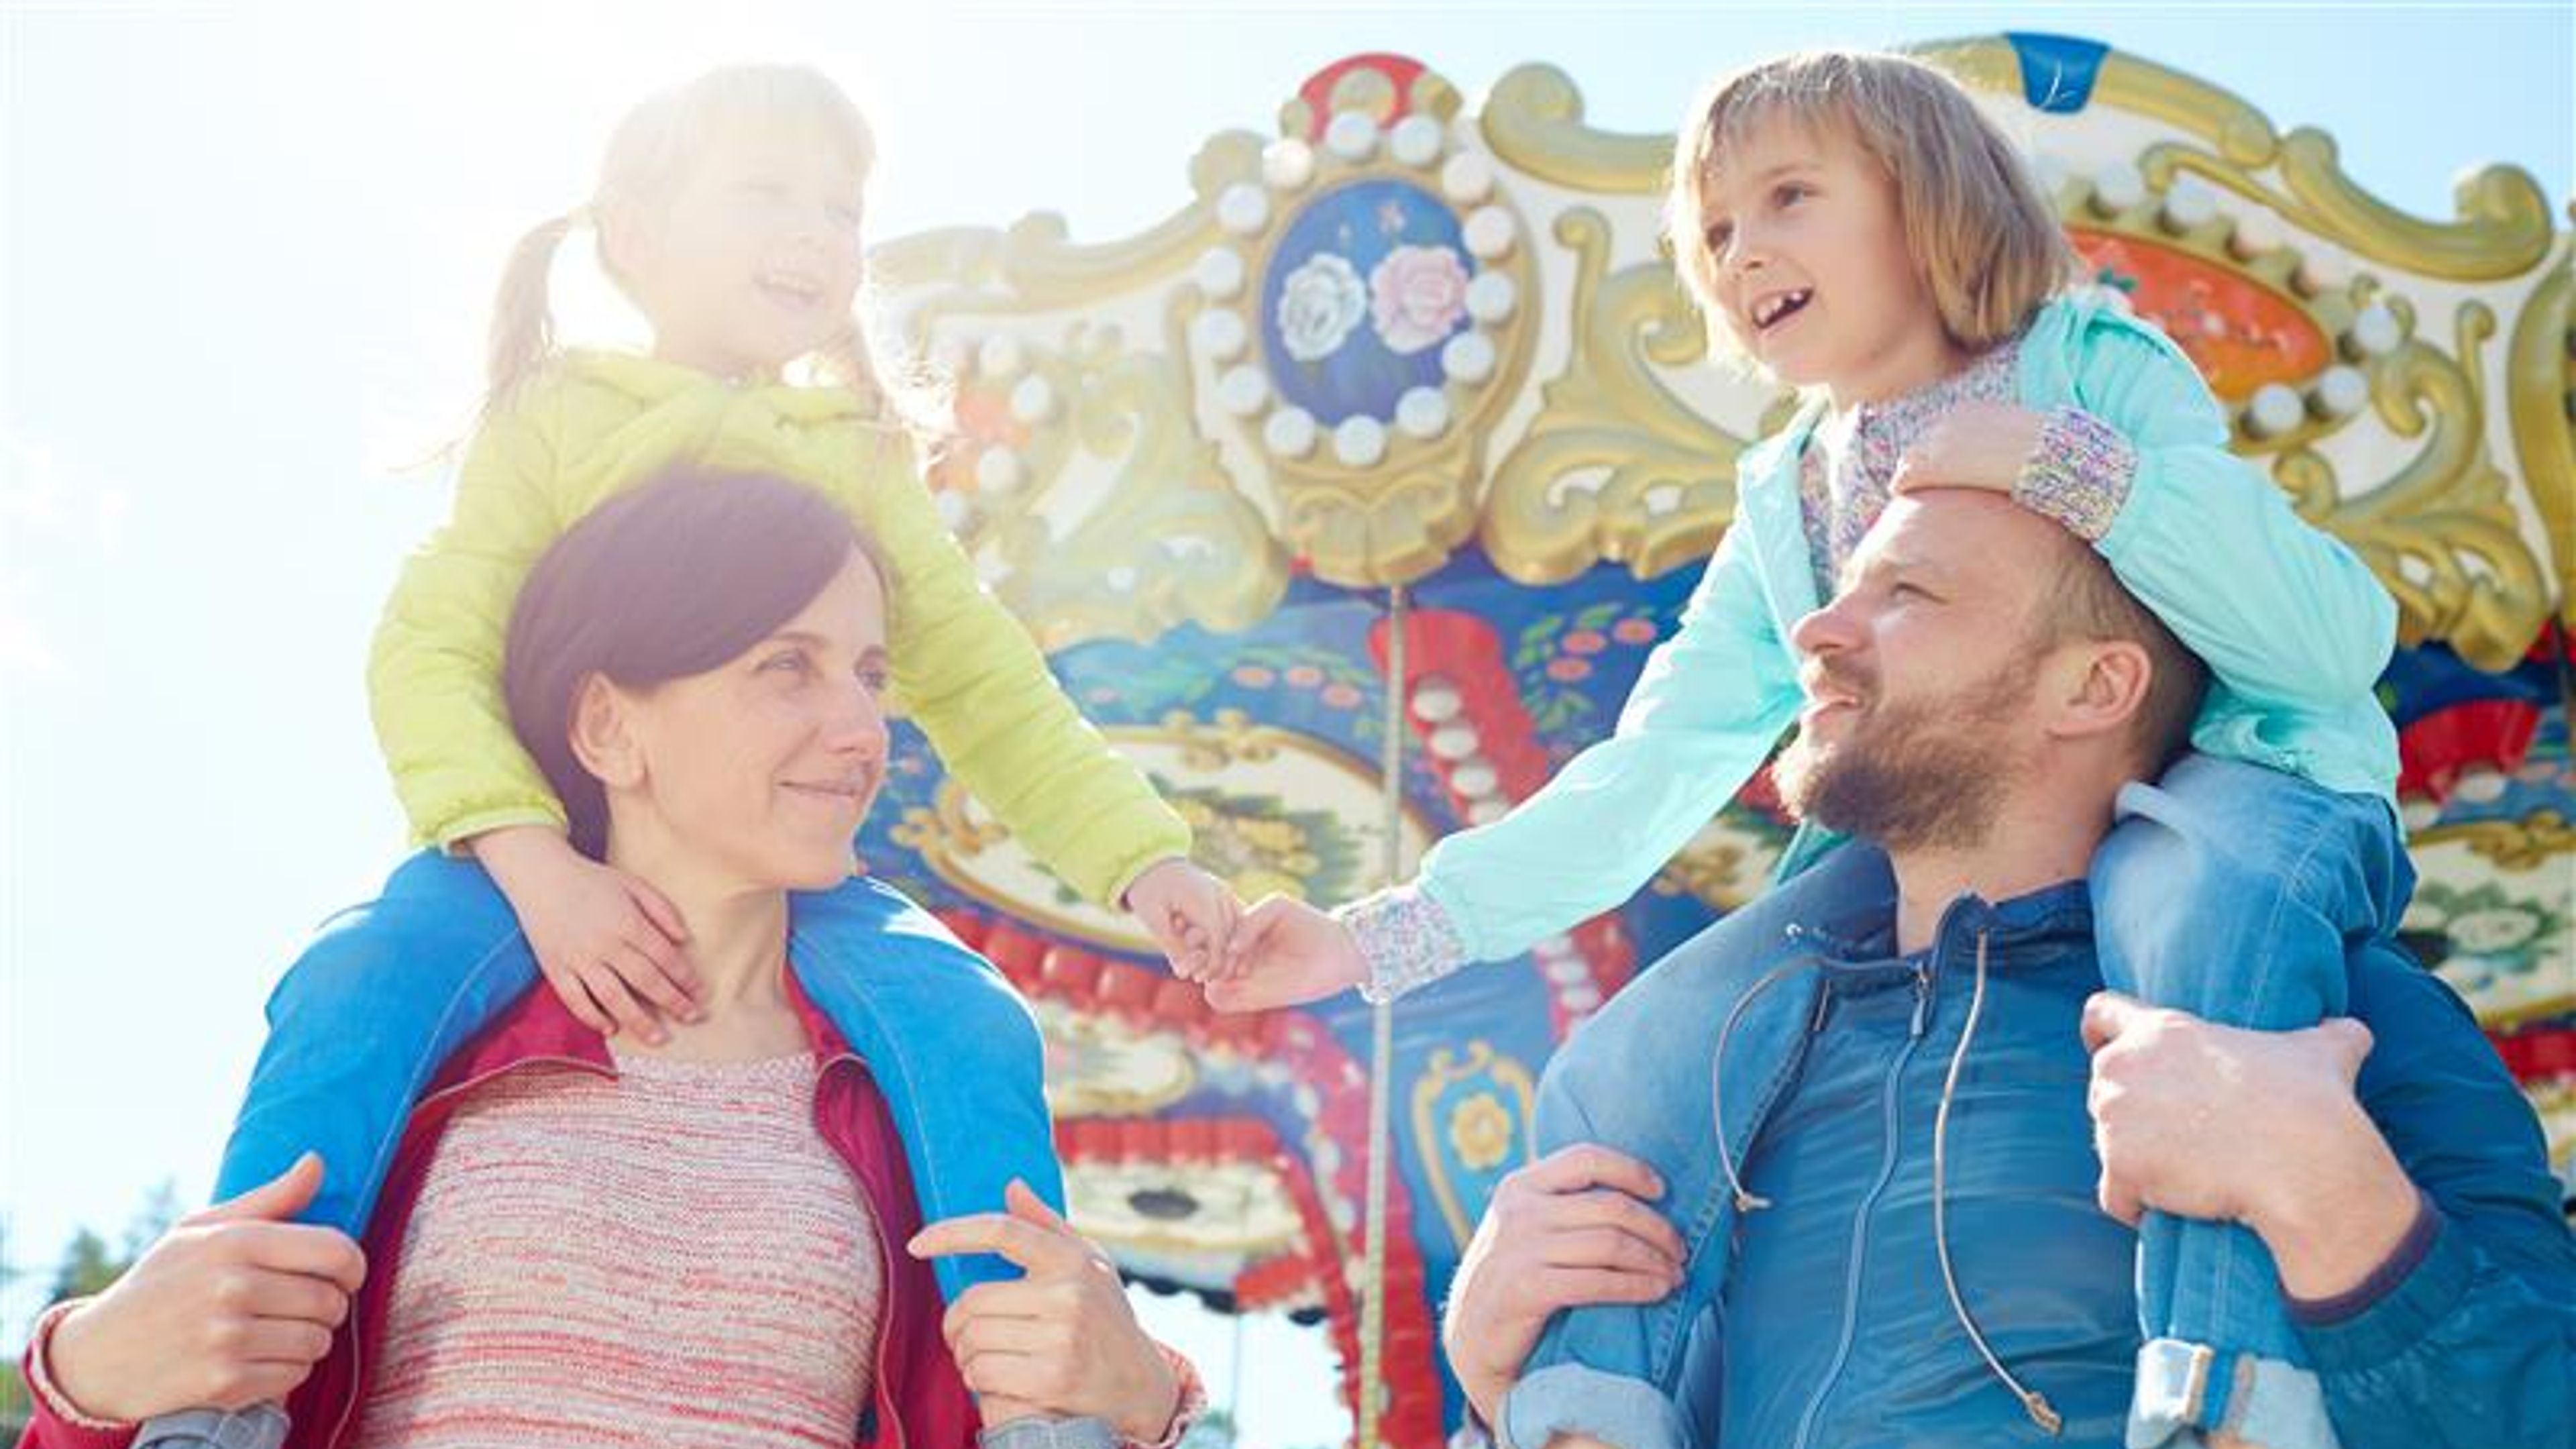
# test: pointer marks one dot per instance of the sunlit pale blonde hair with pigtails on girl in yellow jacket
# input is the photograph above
(648, 159)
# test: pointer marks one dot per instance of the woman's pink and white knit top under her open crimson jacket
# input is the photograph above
(668, 1257)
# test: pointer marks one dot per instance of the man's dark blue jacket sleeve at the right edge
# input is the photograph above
(2474, 1347)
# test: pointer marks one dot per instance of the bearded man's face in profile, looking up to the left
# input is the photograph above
(1920, 677)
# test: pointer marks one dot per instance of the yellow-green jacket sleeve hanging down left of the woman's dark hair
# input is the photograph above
(434, 672)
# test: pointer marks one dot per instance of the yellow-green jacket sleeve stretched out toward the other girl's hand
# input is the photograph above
(1001, 723)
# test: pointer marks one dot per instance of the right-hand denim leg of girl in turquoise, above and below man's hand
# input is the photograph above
(2235, 893)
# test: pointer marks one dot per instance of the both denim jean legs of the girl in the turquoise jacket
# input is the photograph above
(2227, 891)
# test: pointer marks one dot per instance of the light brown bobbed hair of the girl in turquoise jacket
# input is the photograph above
(1987, 244)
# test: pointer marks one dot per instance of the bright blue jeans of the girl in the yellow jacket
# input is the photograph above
(390, 991)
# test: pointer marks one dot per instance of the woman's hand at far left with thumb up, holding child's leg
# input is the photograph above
(231, 1308)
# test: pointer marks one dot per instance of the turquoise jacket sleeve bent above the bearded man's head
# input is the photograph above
(2278, 610)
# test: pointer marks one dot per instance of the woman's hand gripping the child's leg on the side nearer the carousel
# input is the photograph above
(1060, 1339)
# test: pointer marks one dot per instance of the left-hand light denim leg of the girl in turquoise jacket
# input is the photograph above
(1637, 1079)
